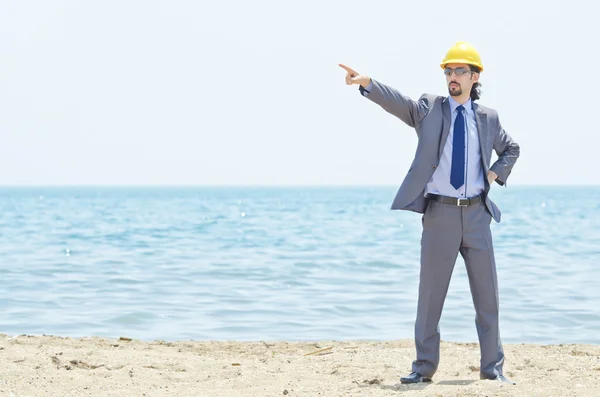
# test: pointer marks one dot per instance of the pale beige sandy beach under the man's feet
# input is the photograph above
(57, 366)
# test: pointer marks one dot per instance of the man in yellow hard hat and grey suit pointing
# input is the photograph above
(446, 184)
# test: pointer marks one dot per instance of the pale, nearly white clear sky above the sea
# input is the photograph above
(177, 92)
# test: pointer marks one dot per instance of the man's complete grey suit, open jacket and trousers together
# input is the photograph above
(449, 230)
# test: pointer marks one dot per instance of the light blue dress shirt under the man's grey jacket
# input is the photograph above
(440, 180)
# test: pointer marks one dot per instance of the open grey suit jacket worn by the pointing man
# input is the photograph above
(431, 119)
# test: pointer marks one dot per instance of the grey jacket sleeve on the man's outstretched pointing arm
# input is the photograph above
(396, 103)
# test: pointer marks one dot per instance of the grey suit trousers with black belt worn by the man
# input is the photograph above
(448, 230)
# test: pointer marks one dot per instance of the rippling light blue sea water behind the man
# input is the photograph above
(291, 263)
